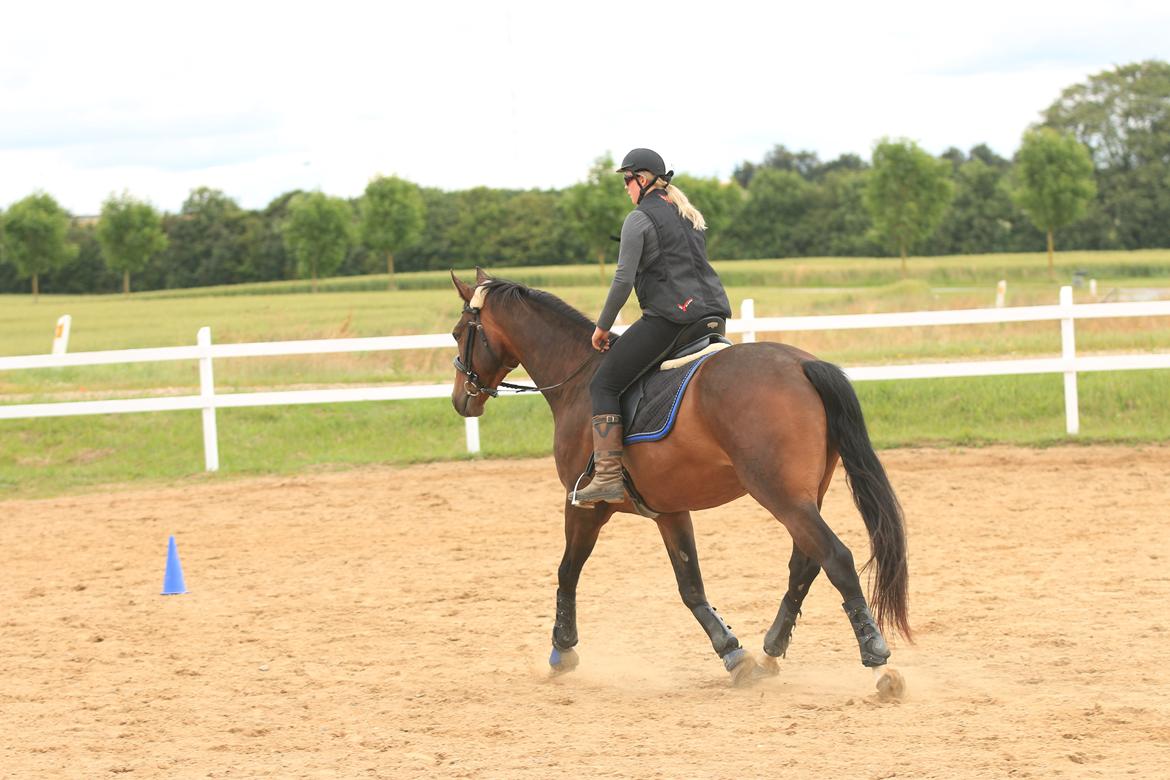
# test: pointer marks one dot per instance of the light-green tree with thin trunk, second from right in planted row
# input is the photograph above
(907, 195)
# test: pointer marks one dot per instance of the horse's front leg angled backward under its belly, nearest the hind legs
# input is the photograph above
(679, 536)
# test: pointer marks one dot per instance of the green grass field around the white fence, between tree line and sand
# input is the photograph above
(53, 455)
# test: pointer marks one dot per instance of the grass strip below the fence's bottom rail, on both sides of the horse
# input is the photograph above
(59, 455)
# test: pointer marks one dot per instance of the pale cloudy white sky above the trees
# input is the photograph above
(259, 99)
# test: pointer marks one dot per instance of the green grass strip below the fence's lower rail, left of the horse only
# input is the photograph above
(59, 455)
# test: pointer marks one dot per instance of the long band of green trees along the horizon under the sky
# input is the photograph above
(1096, 172)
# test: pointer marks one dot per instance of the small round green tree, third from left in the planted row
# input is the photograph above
(319, 233)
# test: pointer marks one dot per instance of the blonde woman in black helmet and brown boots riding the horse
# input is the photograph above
(664, 260)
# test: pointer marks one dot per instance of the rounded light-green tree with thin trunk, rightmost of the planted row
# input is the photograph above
(1055, 181)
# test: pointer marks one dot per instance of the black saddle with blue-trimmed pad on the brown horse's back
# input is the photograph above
(650, 403)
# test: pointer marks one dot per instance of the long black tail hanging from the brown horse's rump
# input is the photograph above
(872, 493)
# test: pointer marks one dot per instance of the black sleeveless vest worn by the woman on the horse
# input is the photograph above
(678, 282)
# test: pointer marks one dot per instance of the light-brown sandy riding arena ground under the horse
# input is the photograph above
(394, 624)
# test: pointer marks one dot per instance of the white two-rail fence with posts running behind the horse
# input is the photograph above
(748, 326)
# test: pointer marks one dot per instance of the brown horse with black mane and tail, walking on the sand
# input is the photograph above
(763, 419)
